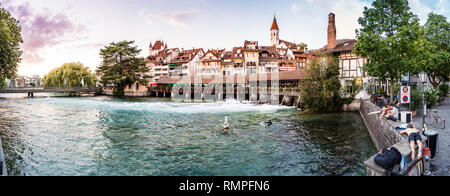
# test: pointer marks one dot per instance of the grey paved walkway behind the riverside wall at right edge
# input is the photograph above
(440, 165)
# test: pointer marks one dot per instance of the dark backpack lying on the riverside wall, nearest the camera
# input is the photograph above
(387, 159)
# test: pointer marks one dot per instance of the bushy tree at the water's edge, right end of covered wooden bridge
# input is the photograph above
(321, 92)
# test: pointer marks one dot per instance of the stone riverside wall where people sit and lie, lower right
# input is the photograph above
(384, 136)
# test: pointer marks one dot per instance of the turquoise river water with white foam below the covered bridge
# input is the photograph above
(51, 135)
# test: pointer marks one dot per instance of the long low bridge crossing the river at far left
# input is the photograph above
(71, 90)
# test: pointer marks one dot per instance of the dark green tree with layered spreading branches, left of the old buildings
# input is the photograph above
(121, 66)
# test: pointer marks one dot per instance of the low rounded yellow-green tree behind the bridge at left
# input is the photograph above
(70, 75)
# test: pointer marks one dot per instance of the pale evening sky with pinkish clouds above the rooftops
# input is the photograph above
(60, 31)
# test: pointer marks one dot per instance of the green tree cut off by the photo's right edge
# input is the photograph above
(437, 49)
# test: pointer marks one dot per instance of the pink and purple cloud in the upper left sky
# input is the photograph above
(42, 29)
